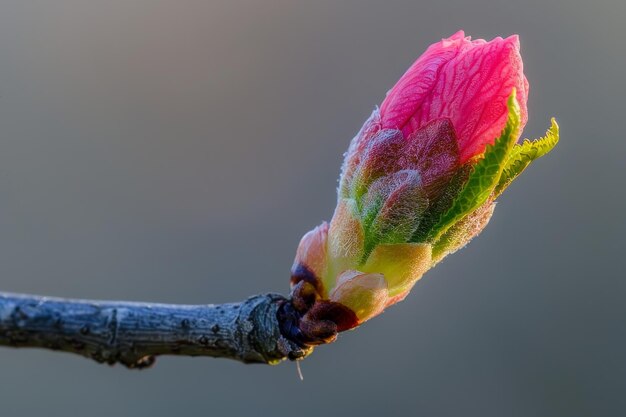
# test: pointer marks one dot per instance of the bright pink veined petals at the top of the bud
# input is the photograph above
(466, 81)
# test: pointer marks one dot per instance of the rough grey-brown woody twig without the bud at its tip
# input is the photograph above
(135, 333)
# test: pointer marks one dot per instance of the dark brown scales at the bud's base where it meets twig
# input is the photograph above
(307, 319)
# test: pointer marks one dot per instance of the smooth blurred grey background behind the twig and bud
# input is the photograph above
(176, 151)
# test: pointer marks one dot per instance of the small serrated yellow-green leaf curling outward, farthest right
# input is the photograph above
(522, 155)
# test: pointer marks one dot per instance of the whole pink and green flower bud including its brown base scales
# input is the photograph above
(418, 182)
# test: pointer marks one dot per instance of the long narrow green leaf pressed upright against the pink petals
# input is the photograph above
(484, 176)
